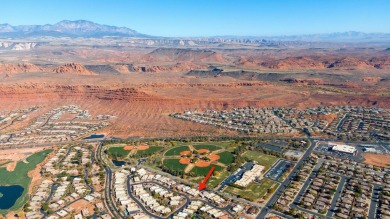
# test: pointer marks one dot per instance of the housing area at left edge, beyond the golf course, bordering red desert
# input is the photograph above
(52, 128)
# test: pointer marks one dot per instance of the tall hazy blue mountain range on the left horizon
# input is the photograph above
(78, 28)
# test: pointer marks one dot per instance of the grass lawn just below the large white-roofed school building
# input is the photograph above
(253, 191)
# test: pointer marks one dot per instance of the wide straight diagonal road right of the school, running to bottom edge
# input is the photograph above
(280, 190)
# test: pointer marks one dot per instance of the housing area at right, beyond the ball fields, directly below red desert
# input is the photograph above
(344, 122)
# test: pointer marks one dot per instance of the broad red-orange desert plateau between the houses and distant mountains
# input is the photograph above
(142, 81)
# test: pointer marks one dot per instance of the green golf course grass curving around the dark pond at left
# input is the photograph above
(19, 176)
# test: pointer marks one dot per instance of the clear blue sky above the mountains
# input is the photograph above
(209, 17)
